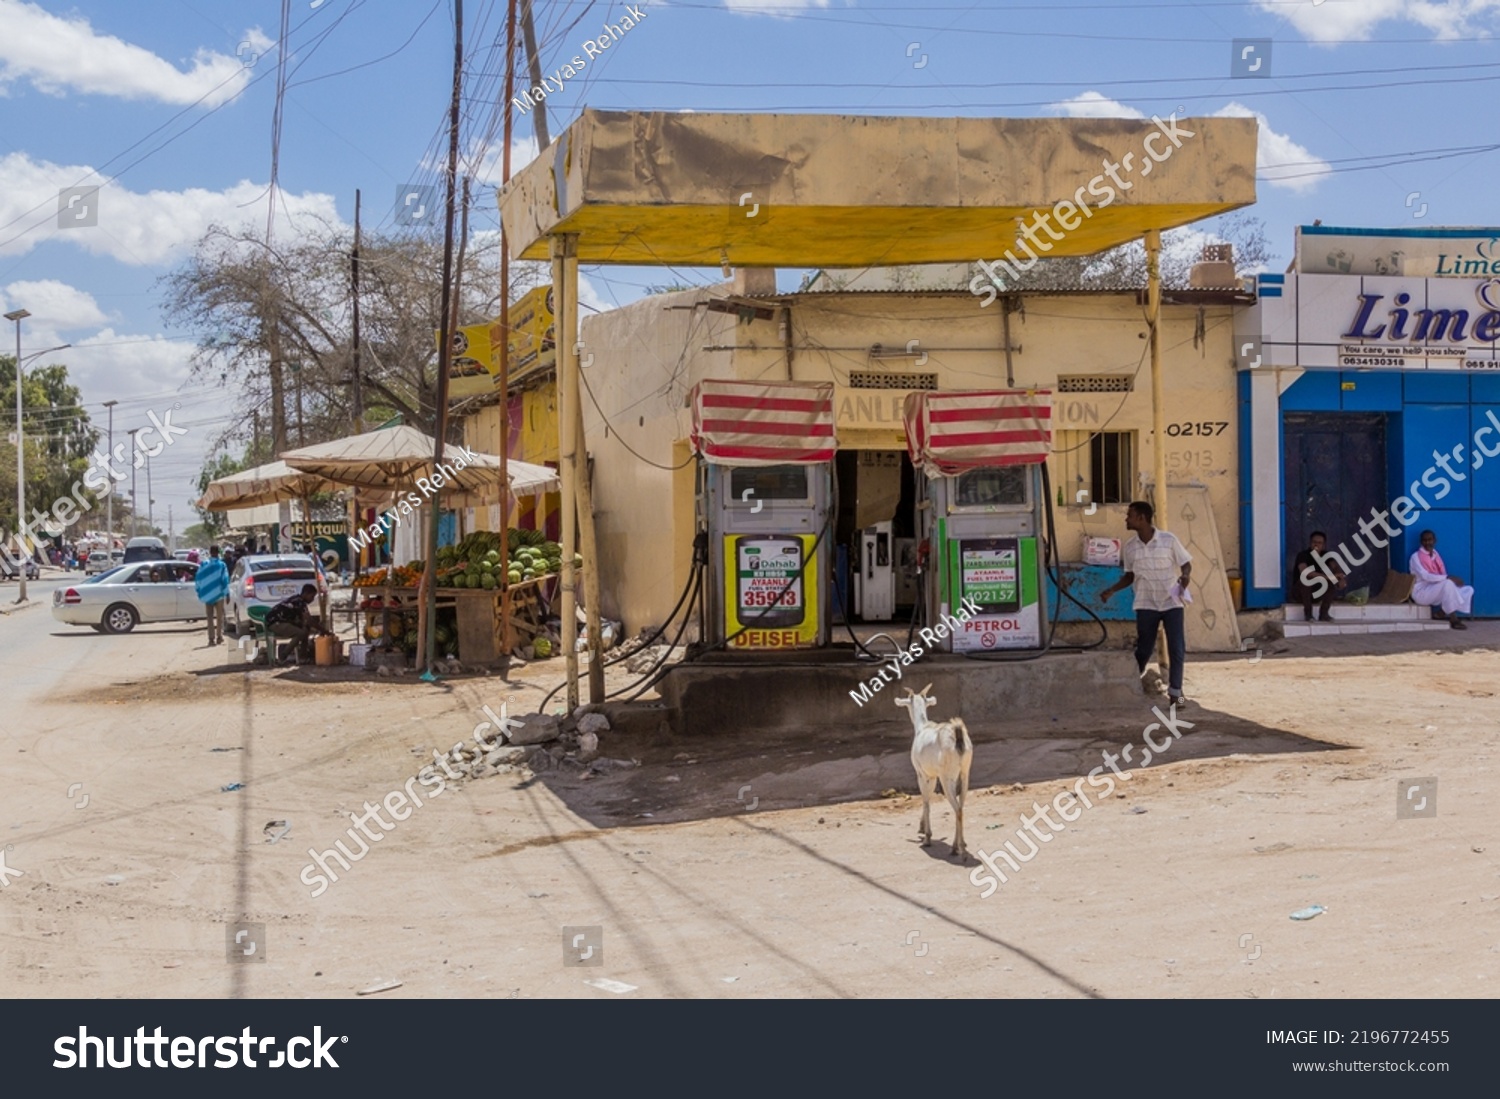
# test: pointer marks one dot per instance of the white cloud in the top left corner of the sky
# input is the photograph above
(58, 55)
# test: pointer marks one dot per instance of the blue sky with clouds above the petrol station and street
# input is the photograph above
(169, 106)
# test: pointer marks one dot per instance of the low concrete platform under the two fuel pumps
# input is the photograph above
(748, 695)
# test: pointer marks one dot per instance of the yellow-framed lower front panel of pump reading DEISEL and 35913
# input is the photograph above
(772, 591)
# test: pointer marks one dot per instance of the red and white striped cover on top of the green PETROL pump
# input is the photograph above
(956, 431)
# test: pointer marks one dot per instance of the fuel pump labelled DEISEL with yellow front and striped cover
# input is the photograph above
(766, 488)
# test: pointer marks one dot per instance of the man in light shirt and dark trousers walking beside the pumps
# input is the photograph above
(1160, 569)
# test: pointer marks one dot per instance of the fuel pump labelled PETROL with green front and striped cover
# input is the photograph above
(980, 514)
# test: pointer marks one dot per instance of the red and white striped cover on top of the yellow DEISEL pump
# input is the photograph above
(758, 424)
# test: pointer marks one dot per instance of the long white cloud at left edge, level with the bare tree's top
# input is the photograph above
(136, 229)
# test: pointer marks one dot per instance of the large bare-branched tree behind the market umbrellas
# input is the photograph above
(280, 326)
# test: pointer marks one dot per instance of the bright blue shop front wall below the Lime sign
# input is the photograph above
(1429, 415)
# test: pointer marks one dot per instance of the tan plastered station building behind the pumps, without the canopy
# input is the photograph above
(875, 349)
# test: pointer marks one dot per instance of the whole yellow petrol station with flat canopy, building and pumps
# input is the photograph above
(845, 377)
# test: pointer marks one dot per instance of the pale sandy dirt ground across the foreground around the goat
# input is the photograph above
(743, 867)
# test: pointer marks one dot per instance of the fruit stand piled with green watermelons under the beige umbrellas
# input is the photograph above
(472, 621)
